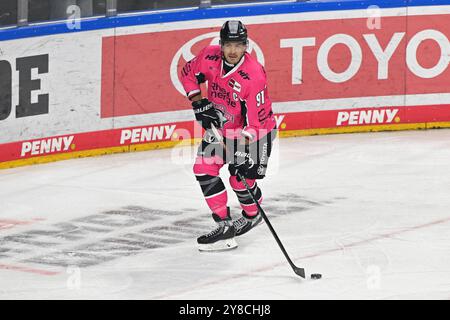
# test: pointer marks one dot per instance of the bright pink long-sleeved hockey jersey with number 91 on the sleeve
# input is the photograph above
(241, 94)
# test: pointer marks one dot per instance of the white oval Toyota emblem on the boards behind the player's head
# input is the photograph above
(184, 54)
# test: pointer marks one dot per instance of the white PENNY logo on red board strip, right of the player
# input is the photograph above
(359, 117)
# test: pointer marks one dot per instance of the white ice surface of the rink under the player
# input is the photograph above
(368, 211)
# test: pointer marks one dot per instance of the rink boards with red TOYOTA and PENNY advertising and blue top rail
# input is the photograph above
(92, 88)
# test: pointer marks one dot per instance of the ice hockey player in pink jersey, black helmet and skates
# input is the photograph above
(238, 103)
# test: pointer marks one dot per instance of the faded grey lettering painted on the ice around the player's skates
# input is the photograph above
(94, 239)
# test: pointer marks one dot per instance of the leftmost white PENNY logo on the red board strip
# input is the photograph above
(46, 146)
